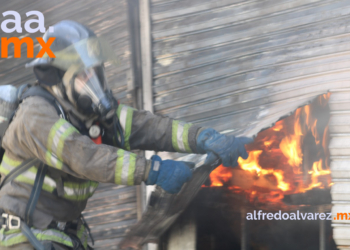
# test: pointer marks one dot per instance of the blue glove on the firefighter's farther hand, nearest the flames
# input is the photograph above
(228, 148)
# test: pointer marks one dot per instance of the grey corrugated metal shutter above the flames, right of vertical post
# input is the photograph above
(239, 65)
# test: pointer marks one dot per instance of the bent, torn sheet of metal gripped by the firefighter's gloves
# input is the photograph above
(164, 208)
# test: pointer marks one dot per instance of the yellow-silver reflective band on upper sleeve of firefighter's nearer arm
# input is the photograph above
(57, 136)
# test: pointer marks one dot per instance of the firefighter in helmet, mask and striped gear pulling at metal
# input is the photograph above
(58, 141)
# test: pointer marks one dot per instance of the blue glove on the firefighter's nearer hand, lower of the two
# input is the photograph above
(168, 174)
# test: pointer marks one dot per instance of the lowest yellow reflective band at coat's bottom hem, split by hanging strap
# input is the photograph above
(13, 237)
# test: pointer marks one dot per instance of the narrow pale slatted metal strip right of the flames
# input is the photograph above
(339, 128)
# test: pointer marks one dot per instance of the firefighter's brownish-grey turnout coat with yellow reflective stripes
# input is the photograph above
(76, 163)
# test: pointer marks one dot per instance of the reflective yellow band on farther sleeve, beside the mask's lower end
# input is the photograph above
(125, 115)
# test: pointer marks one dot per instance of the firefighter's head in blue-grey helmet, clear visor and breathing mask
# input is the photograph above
(76, 73)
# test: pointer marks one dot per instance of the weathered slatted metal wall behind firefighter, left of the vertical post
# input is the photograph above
(112, 209)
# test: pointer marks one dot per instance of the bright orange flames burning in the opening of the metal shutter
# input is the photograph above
(276, 158)
